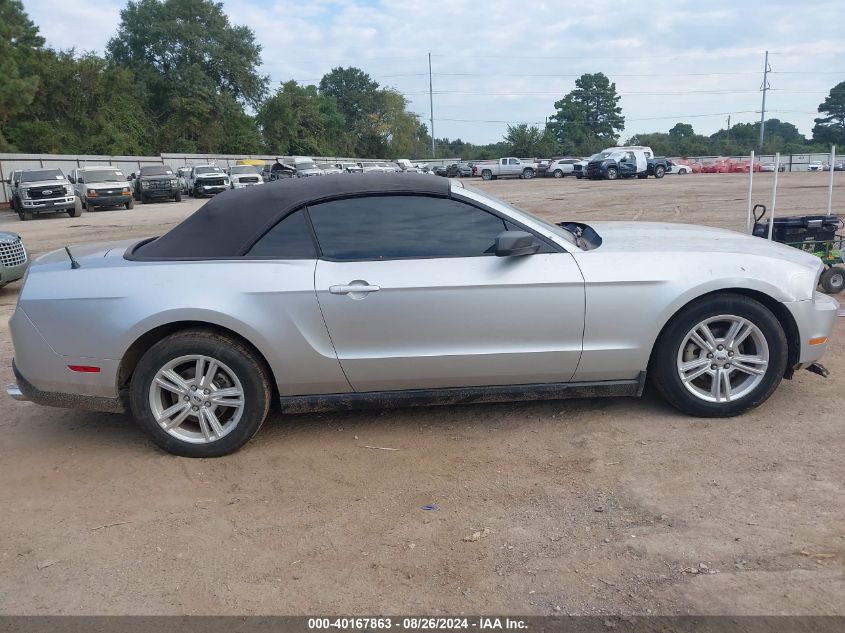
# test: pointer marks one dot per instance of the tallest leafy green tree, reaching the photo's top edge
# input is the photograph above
(196, 67)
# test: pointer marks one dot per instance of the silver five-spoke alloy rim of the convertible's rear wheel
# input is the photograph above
(196, 399)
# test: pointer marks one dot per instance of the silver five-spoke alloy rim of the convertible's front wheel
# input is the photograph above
(723, 358)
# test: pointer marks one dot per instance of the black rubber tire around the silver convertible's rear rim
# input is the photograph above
(237, 356)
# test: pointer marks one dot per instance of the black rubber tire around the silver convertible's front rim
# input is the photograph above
(664, 371)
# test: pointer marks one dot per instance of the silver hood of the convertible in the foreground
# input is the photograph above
(660, 237)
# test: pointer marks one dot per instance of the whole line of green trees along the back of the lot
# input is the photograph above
(178, 76)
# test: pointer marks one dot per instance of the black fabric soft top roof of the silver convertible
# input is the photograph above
(230, 223)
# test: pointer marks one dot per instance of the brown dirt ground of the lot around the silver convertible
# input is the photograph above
(578, 507)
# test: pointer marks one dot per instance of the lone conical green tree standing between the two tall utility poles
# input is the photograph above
(589, 117)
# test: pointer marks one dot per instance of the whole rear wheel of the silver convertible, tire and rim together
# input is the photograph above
(200, 394)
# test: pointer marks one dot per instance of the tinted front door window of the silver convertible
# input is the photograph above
(399, 227)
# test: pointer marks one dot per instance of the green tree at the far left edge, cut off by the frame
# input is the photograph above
(20, 46)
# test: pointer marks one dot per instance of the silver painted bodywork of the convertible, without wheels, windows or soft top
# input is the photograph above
(581, 316)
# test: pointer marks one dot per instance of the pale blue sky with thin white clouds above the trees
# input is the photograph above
(496, 62)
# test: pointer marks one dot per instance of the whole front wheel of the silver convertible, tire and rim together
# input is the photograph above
(720, 357)
